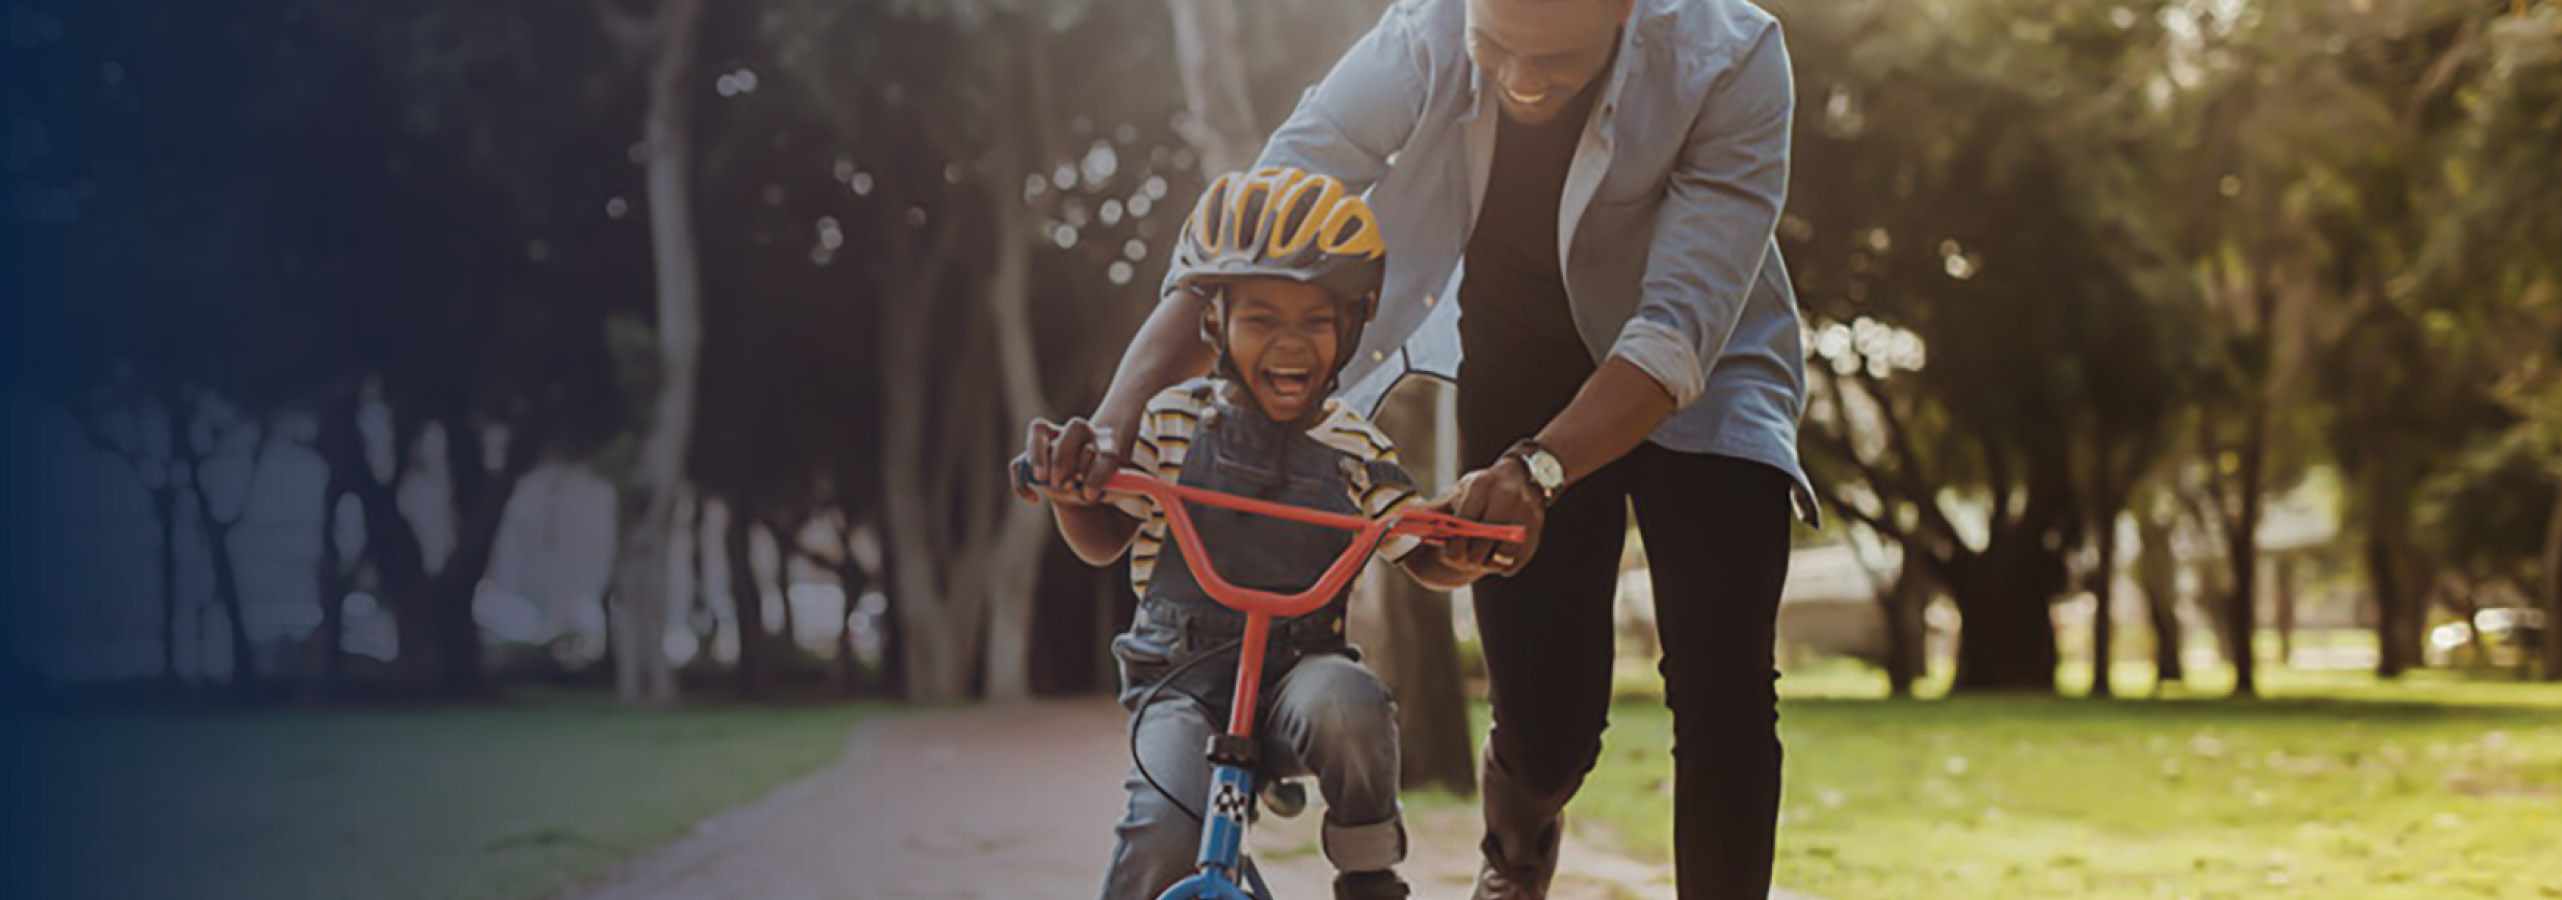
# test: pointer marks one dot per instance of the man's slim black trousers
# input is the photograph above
(1718, 540)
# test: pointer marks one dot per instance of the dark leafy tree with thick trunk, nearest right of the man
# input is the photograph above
(1995, 329)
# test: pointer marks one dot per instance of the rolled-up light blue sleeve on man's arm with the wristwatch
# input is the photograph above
(1713, 232)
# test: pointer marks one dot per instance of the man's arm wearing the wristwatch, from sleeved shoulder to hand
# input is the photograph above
(1713, 237)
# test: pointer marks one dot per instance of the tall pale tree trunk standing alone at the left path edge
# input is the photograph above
(642, 573)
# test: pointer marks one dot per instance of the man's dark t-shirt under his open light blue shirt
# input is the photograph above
(1523, 353)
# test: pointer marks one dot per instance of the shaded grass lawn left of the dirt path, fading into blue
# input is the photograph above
(506, 801)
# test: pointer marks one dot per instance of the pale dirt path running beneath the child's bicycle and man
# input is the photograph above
(1013, 804)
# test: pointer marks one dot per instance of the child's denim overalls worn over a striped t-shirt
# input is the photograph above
(1323, 712)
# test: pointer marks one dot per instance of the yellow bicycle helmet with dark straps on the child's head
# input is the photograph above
(1290, 224)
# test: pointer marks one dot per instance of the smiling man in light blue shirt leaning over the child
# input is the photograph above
(1608, 178)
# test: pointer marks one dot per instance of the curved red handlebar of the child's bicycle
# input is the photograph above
(1367, 535)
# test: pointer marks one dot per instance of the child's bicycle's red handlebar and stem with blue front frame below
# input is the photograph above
(1231, 783)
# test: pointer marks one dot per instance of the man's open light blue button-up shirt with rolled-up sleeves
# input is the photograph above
(1664, 227)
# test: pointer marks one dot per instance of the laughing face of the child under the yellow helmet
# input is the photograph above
(1282, 337)
